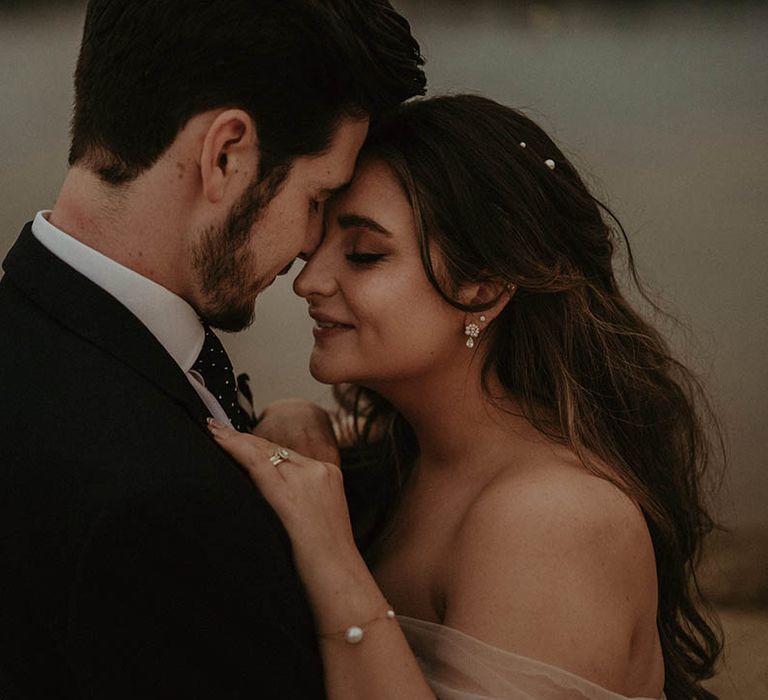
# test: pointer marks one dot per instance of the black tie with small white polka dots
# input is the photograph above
(215, 368)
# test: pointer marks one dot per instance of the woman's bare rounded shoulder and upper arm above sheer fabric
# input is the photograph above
(555, 563)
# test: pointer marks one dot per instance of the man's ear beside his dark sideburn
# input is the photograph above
(229, 157)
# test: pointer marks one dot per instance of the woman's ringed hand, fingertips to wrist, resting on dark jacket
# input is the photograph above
(307, 495)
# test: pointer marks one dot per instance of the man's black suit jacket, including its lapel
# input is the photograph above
(136, 559)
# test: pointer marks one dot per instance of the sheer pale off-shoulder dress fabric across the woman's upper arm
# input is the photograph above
(460, 667)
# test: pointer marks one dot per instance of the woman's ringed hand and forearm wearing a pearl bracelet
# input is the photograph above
(308, 495)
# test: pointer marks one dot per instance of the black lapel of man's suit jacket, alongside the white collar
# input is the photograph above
(95, 315)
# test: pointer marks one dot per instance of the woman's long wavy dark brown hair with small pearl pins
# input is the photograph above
(496, 199)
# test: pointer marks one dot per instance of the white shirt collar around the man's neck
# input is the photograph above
(168, 317)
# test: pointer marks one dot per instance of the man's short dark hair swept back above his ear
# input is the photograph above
(296, 66)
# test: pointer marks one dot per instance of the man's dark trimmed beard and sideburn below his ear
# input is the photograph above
(226, 267)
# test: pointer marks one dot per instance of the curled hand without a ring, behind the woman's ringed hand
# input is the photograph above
(299, 425)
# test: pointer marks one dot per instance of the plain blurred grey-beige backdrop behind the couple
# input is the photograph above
(663, 106)
